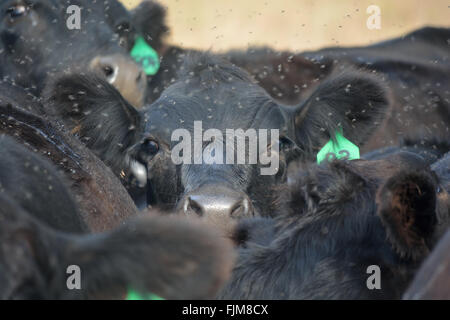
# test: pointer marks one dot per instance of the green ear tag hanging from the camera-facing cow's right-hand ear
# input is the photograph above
(342, 149)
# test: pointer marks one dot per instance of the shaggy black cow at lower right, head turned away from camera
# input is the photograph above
(340, 225)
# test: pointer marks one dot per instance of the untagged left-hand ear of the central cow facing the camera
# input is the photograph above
(96, 112)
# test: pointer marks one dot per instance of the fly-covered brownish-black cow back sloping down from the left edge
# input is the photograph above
(103, 202)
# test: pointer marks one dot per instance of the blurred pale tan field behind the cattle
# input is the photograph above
(293, 24)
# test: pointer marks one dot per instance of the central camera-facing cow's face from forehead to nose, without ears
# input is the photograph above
(203, 147)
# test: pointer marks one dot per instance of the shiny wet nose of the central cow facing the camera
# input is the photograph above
(217, 202)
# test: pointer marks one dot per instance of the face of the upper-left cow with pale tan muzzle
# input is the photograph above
(37, 42)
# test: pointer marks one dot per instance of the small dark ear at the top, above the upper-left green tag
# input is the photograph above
(149, 18)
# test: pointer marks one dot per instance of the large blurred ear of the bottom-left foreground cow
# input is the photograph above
(172, 258)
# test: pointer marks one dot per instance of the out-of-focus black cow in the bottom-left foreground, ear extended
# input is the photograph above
(173, 259)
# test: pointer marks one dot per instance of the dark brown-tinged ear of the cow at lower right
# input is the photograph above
(407, 208)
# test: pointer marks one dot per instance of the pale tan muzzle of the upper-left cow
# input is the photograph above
(124, 74)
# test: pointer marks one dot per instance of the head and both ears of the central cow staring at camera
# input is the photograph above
(222, 96)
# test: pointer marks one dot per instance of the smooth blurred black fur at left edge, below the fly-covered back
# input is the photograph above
(33, 183)
